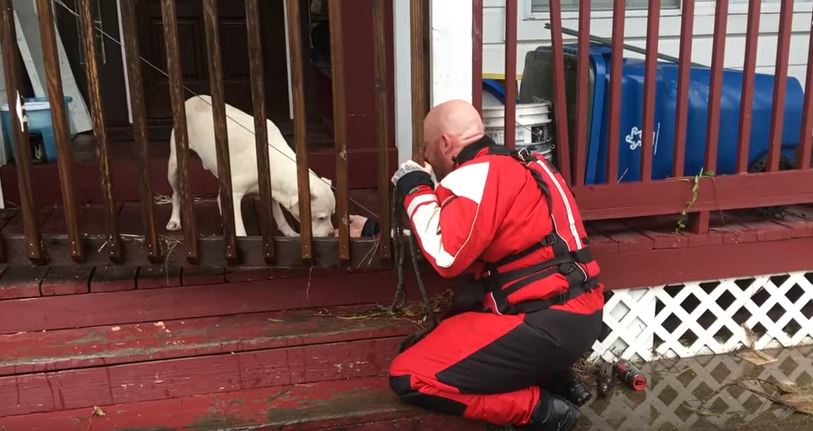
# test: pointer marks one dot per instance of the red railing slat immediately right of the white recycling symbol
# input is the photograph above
(648, 127)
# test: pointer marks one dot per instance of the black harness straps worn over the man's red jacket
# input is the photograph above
(500, 285)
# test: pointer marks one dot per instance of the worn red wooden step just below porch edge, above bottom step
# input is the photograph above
(79, 368)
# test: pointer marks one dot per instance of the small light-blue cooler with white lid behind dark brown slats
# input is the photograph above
(40, 128)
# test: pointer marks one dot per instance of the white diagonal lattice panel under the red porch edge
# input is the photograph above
(701, 318)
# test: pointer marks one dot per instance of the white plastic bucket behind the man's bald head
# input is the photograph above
(533, 126)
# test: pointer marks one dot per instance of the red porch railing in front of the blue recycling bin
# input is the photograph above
(647, 197)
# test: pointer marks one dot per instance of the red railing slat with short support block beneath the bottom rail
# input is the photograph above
(699, 222)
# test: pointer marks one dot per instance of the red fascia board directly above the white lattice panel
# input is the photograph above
(682, 264)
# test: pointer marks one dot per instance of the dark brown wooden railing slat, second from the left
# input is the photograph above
(60, 125)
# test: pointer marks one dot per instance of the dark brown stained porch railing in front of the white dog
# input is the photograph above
(228, 249)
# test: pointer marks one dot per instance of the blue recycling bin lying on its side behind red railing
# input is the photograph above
(538, 83)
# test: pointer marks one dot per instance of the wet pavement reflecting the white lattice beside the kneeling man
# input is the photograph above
(701, 394)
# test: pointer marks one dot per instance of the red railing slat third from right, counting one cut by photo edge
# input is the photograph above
(749, 71)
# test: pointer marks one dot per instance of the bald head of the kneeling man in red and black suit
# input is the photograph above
(447, 129)
